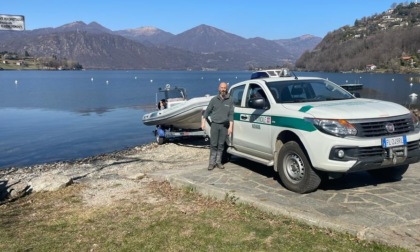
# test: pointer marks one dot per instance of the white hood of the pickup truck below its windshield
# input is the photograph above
(349, 109)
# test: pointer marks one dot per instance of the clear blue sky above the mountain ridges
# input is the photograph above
(269, 19)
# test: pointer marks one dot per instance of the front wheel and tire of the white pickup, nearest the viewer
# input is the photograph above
(295, 170)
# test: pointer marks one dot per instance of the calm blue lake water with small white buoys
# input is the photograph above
(48, 116)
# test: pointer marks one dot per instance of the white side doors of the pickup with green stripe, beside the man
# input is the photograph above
(252, 127)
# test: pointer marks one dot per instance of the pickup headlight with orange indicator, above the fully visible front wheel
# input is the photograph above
(335, 127)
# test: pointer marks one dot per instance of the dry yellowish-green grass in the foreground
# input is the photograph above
(160, 218)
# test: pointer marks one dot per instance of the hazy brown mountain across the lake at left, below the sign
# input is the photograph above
(102, 51)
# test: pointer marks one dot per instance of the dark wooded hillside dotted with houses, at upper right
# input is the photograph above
(389, 41)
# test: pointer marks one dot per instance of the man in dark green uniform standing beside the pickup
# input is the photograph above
(220, 109)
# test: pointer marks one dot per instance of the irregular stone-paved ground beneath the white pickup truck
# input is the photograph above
(357, 203)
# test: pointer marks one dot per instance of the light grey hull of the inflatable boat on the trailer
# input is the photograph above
(186, 115)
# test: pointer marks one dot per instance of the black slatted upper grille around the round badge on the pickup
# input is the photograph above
(375, 128)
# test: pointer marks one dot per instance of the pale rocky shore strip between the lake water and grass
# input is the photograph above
(99, 174)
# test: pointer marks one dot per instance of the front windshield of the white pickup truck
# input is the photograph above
(307, 91)
